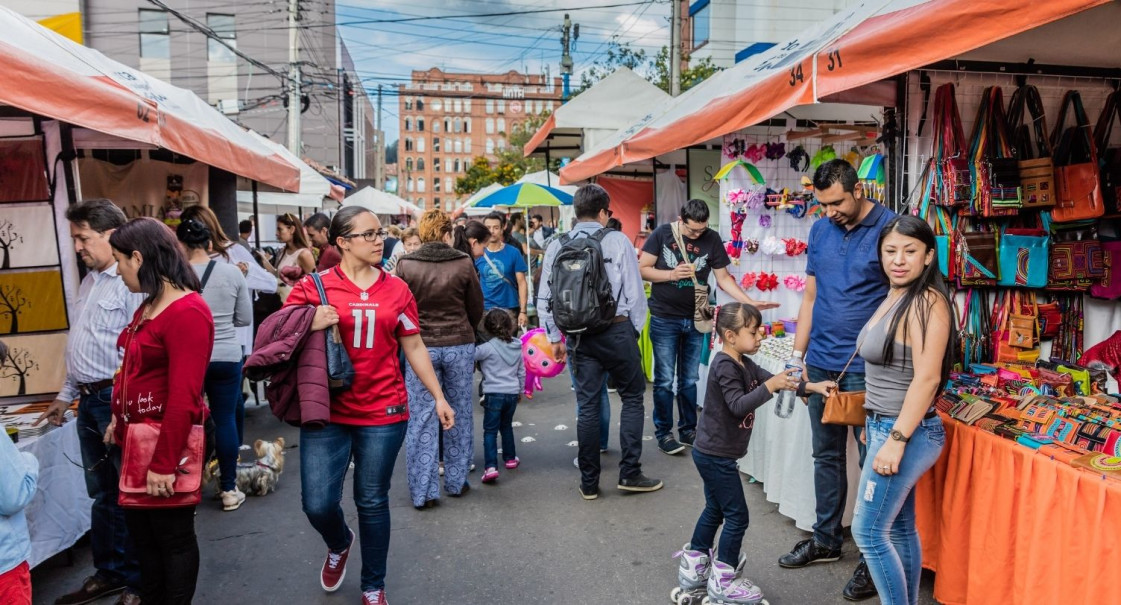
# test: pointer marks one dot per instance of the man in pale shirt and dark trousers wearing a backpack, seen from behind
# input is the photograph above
(615, 351)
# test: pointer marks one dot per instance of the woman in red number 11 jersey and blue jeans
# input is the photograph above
(377, 317)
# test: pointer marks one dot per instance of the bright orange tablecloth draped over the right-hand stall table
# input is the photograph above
(1002, 524)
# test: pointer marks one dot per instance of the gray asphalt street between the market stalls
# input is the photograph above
(527, 539)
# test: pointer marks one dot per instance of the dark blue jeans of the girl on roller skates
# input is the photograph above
(724, 504)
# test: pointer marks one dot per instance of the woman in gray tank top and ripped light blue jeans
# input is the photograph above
(906, 347)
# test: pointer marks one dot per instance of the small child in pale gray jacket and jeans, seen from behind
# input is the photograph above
(504, 381)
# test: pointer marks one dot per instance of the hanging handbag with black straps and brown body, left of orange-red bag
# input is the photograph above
(1035, 164)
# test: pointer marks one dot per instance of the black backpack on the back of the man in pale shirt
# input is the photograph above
(582, 302)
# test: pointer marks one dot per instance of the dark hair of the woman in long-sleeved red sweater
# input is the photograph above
(164, 260)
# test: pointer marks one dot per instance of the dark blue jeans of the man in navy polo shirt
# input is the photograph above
(831, 466)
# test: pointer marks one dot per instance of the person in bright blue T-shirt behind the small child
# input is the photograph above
(503, 273)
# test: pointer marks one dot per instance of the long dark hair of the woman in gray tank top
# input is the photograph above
(916, 300)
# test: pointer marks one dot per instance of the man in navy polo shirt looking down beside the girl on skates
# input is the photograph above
(845, 286)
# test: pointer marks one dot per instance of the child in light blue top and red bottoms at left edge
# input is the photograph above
(20, 472)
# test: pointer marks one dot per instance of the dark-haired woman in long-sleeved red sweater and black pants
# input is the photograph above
(168, 349)
